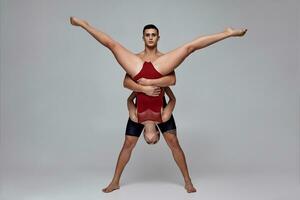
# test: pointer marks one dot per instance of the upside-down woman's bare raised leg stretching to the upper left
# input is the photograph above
(129, 61)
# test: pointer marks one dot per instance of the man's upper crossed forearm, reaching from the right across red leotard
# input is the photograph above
(164, 81)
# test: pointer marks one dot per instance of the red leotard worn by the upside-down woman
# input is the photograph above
(148, 107)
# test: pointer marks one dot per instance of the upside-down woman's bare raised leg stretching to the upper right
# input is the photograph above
(169, 61)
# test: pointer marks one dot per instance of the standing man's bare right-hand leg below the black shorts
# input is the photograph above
(179, 158)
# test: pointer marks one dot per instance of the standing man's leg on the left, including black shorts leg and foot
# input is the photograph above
(132, 134)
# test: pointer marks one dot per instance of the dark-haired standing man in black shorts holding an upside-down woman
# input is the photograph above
(150, 87)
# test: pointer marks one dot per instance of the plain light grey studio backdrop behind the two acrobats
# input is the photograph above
(63, 105)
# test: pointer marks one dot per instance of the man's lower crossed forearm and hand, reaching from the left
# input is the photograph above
(132, 85)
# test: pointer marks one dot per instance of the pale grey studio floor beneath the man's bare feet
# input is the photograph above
(87, 184)
